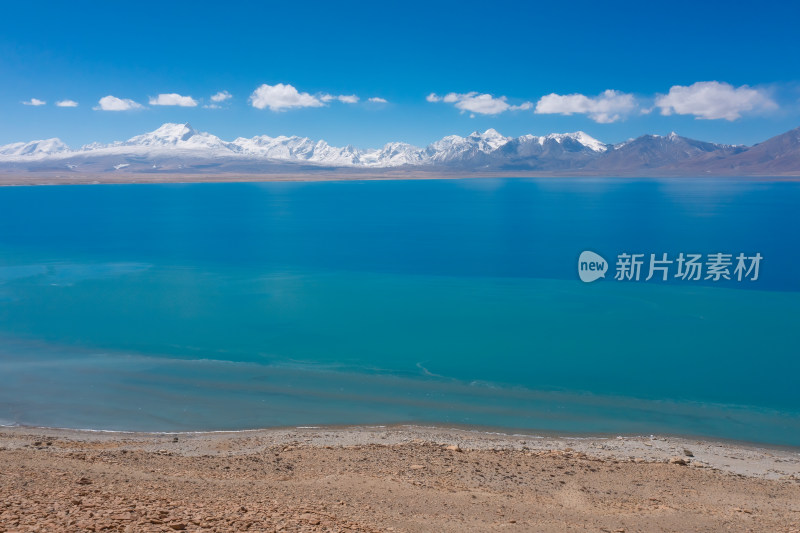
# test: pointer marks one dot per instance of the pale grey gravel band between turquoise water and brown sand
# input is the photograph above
(749, 459)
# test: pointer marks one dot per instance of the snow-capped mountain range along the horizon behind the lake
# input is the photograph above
(178, 148)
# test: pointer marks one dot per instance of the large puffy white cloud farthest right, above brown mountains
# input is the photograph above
(713, 100)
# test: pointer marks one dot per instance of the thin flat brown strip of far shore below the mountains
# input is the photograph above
(32, 178)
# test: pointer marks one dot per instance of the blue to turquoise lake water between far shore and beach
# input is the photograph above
(457, 302)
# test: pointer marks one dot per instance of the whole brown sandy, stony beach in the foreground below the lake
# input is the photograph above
(389, 479)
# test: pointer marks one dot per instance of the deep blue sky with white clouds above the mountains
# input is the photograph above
(708, 70)
